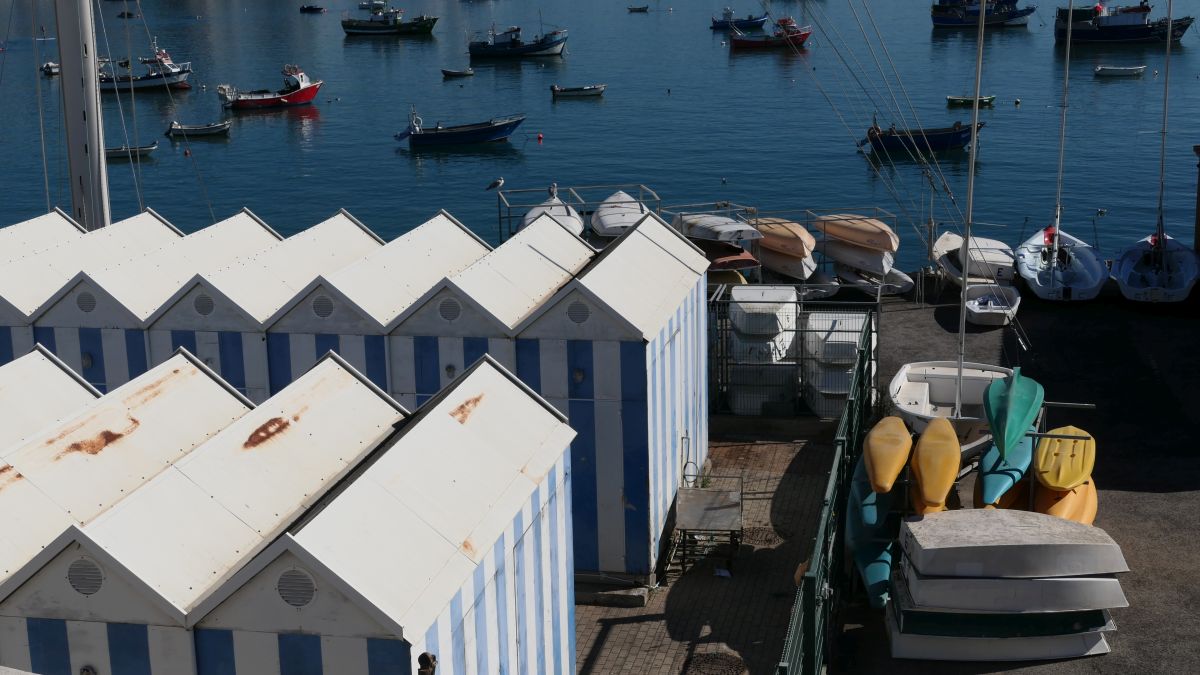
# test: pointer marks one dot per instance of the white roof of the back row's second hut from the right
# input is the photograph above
(515, 279)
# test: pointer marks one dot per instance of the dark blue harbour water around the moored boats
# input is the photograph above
(683, 116)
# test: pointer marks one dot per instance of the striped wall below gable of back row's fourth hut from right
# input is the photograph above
(241, 359)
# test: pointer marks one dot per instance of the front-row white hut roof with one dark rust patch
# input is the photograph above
(201, 521)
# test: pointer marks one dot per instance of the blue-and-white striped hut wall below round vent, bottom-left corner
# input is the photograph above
(55, 647)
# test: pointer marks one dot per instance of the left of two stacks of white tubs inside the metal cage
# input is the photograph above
(763, 344)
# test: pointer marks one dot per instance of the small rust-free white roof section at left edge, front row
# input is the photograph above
(38, 391)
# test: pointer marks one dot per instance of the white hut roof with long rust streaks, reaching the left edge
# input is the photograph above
(76, 470)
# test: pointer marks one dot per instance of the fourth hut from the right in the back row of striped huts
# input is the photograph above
(221, 315)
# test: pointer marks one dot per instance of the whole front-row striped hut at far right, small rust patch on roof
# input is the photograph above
(454, 541)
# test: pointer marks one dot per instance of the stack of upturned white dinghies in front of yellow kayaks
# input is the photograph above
(1004, 586)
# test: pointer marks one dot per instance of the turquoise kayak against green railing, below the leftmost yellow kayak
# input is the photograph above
(868, 536)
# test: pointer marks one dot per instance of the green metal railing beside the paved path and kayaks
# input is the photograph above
(813, 626)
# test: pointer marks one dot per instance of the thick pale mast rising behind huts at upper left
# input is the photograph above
(82, 114)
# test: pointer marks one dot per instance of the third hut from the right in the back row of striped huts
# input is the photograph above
(352, 310)
